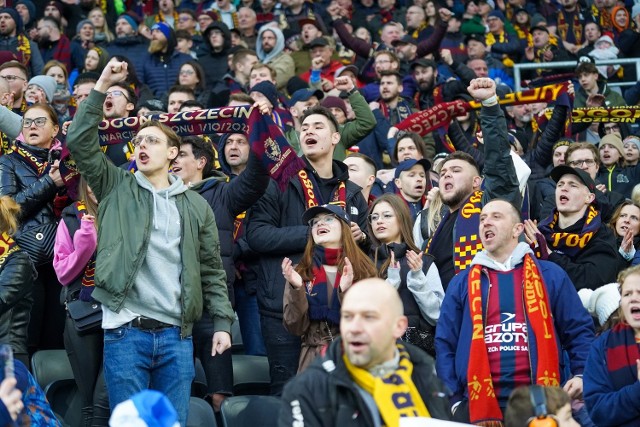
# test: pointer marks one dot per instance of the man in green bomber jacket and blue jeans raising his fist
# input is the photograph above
(158, 262)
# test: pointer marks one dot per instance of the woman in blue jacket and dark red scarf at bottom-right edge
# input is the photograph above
(612, 373)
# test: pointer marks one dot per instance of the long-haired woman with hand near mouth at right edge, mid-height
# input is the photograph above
(625, 224)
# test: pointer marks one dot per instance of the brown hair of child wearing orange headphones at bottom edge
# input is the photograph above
(520, 409)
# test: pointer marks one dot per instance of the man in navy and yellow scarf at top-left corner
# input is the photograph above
(13, 40)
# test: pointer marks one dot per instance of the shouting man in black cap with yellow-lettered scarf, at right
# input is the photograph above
(574, 236)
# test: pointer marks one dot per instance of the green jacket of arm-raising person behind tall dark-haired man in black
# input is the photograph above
(351, 132)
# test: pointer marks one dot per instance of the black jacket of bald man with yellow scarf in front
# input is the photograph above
(325, 394)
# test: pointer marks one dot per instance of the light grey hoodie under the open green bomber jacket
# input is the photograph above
(157, 290)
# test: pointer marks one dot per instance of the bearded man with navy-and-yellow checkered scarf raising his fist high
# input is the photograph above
(456, 240)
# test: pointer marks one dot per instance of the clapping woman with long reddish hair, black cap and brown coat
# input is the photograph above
(330, 264)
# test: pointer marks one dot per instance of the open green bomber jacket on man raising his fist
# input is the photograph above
(125, 214)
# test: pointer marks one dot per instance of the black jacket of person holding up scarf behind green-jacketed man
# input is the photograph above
(228, 199)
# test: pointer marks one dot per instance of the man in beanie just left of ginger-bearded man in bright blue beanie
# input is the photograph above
(128, 42)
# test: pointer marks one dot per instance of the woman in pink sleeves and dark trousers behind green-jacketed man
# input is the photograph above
(74, 263)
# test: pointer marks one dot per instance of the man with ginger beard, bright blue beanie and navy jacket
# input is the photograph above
(162, 63)
